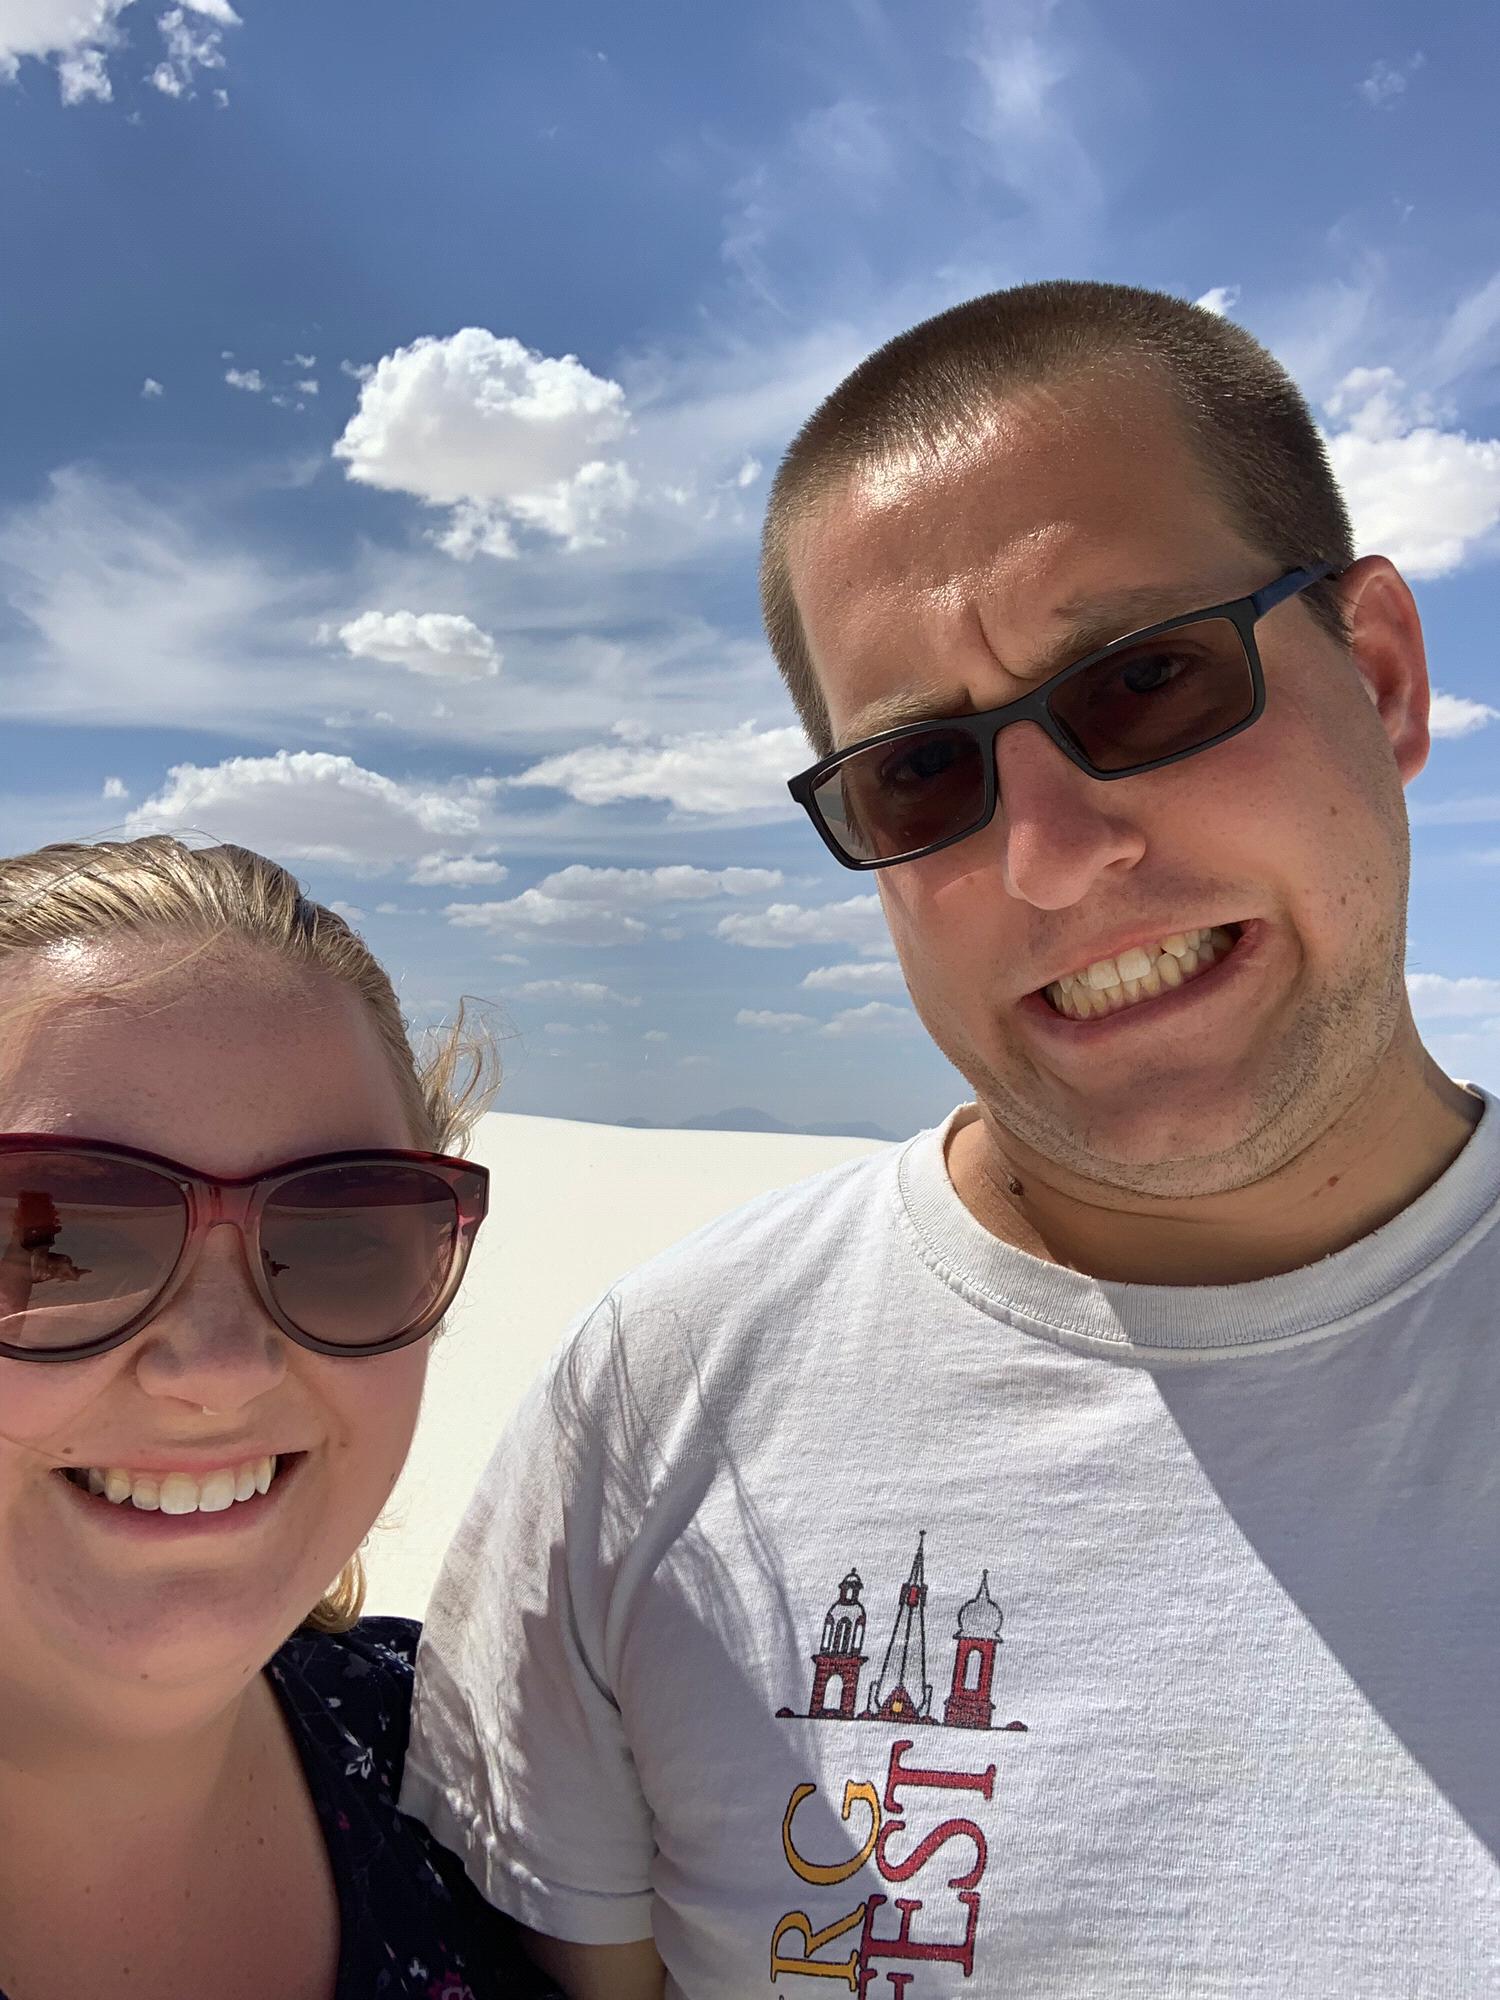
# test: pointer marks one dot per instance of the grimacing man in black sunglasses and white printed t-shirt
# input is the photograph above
(1057, 1557)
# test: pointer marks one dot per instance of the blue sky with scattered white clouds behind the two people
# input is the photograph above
(393, 391)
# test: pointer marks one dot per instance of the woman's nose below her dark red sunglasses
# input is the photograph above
(215, 1347)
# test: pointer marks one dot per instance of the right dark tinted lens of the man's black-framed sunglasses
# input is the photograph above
(1173, 693)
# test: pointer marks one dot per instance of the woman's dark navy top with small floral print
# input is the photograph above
(413, 1925)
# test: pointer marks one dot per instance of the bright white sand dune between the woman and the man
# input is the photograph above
(571, 1209)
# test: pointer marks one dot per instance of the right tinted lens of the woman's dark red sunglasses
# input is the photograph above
(357, 1255)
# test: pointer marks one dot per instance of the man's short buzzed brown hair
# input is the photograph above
(1243, 413)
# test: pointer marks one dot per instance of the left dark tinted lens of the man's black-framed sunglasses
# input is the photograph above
(903, 797)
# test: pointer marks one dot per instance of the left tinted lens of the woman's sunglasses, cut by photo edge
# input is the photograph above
(85, 1247)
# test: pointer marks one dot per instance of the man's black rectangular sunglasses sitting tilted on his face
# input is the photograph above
(1139, 703)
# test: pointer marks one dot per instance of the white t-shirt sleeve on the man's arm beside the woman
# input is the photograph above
(519, 1759)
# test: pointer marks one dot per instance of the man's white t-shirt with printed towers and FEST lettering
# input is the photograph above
(867, 1607)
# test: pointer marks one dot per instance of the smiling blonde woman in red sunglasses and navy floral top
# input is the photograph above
(213, 1343)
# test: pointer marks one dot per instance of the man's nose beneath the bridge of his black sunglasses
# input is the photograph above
(1061, 829)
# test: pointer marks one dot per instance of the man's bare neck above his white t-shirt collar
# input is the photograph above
(1367, 1167)
